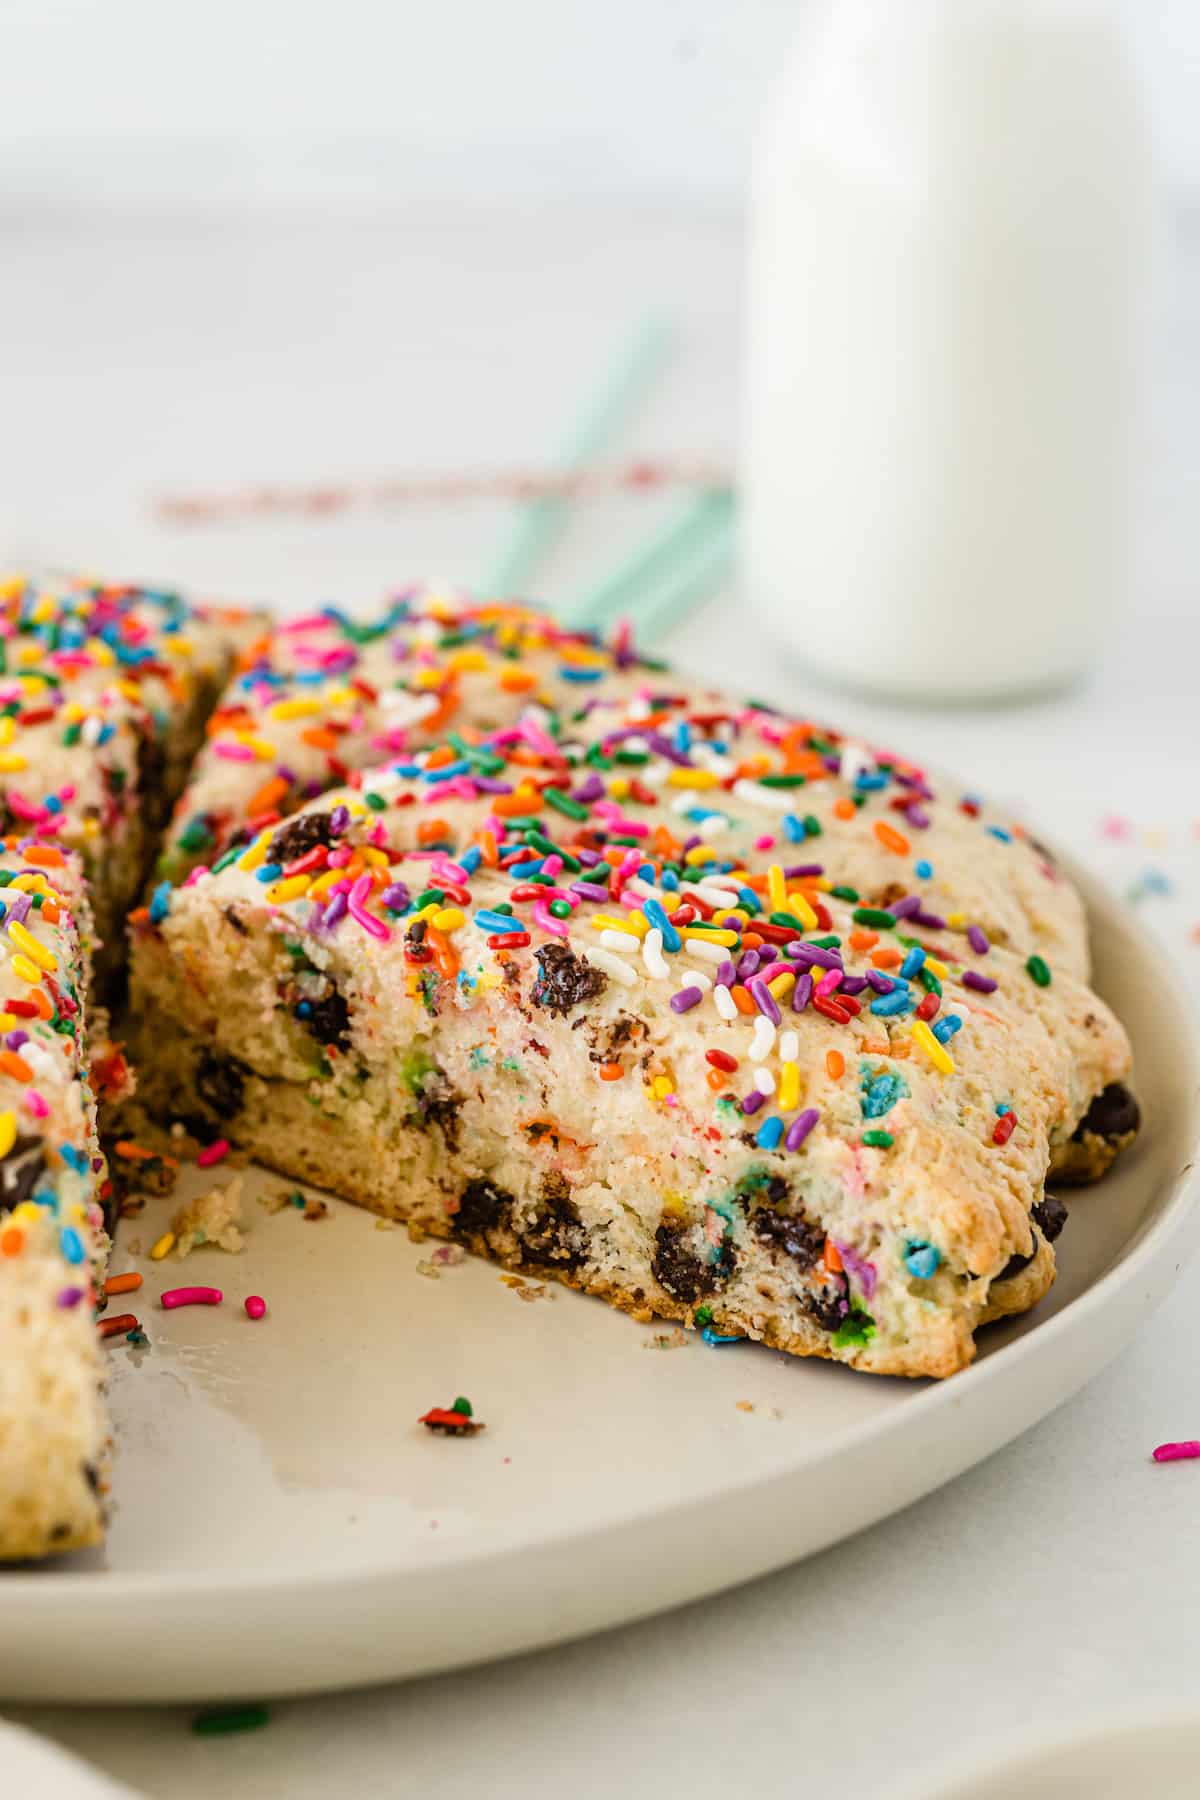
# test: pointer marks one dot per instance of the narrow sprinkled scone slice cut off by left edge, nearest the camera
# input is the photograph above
(53, 1245)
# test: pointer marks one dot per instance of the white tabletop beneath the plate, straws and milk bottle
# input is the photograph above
(1057, 1583)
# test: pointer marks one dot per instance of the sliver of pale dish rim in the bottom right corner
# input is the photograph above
(1138, 1758)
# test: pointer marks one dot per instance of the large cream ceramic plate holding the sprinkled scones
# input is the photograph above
(285, 1525)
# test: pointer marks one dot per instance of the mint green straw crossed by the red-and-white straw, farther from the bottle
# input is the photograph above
(541, 523)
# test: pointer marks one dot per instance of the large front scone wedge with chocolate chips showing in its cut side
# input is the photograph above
(647, 1000)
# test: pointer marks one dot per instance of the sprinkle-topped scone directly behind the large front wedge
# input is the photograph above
(325, 696)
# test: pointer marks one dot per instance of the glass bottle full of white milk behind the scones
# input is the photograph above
(947, 274)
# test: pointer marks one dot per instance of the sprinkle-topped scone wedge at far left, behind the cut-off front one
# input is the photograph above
(103, 697)
